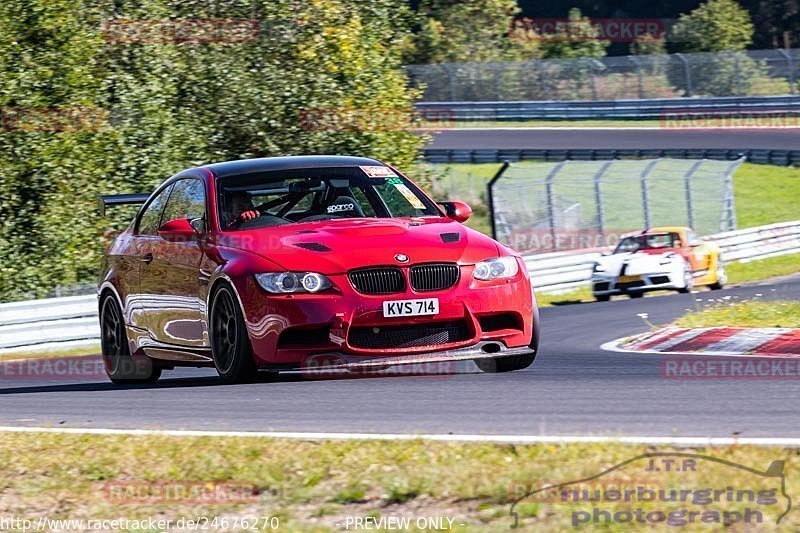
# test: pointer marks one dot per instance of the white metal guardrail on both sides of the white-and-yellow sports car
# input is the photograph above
(559, 271)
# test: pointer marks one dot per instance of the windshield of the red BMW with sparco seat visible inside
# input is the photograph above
(306, 195)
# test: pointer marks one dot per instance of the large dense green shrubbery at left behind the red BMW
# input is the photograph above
(169, 104)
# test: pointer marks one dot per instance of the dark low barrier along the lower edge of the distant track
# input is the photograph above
(772, 157)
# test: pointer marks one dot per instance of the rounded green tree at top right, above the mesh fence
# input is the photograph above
(717, 25)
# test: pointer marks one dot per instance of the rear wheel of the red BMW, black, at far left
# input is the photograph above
(120, 366)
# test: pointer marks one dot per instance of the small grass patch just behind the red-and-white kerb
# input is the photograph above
(751, 313)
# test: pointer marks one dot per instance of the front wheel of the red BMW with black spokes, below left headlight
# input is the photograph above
(230, 346)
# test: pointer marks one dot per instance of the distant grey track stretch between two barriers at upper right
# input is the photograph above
(615, 139)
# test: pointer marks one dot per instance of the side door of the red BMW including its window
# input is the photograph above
(172, 281)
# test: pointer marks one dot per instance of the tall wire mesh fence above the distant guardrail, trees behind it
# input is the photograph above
(701, 74)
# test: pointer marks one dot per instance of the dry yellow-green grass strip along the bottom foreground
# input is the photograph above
(316, 486)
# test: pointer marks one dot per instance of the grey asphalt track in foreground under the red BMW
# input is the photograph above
(573, 388)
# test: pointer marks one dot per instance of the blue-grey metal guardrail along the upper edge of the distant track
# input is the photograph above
(668, 109)
